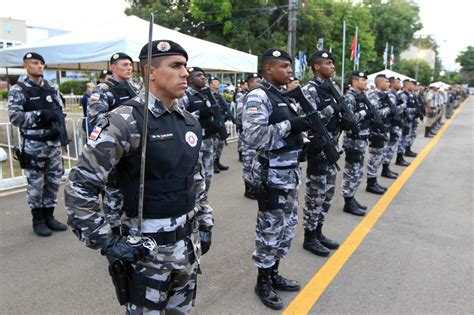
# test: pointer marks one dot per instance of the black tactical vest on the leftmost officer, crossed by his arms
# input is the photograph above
(40, 98)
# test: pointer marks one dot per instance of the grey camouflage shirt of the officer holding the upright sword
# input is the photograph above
(87, 179)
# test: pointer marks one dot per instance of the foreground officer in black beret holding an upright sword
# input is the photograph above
(167, 282)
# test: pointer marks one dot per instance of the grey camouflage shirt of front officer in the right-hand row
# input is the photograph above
(266, 138)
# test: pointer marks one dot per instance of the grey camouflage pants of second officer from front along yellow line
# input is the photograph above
(318, 196)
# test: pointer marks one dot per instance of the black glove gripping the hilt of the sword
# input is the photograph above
(117, 246)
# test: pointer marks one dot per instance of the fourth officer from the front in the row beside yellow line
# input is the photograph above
(377, 140)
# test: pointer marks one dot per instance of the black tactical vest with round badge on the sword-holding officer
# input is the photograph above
(172, 153)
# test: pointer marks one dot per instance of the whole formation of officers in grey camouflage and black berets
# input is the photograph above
(162, 256)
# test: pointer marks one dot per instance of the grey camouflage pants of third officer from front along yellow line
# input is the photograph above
(353, 171)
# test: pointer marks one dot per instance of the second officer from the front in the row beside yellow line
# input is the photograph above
(320, 176)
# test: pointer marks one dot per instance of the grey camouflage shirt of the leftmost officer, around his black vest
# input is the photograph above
(26, 120)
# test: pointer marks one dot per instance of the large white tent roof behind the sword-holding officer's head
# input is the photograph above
(91, 47)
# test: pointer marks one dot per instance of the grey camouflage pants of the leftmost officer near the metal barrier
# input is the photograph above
(45, 175)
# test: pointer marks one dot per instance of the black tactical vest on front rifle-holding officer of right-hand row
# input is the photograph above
(282, 109)
